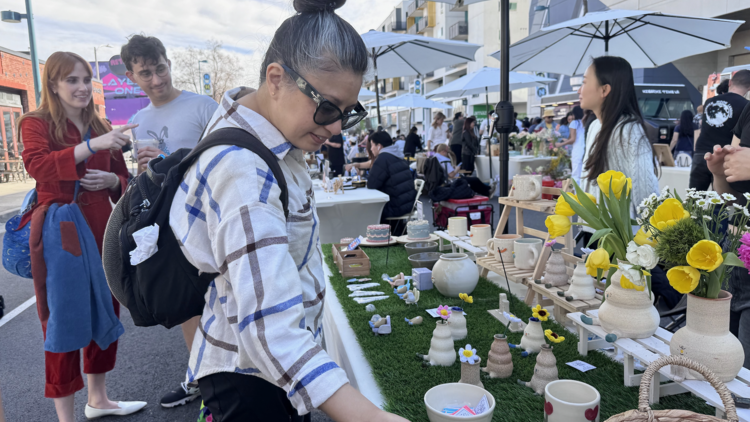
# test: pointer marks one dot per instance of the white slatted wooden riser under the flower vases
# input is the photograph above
(650, 349)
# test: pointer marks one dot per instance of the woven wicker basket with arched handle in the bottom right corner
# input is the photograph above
(644, 412)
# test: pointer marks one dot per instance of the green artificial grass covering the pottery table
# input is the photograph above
(404, 381)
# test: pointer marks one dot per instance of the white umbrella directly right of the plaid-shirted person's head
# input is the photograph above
(396, 55)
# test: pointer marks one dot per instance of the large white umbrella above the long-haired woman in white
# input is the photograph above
(645, 39)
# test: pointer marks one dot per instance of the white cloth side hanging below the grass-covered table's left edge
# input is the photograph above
(343, 347)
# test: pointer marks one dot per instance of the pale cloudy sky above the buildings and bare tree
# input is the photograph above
(243, 26)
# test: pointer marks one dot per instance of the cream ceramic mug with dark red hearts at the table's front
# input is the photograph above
(568, 400)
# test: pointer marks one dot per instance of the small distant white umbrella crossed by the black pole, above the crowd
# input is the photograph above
(484, 80)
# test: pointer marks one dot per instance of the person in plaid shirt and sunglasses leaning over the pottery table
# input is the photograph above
(257, 354)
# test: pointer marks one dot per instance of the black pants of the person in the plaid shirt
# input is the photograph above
(241, 398)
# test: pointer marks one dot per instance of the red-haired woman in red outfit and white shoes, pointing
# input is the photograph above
(57, 154)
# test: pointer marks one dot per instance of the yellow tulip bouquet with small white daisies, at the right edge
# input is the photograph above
(687, 236)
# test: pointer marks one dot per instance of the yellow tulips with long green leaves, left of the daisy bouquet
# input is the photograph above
(609, 217)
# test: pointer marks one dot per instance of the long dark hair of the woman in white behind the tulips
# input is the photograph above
(620, 107)
